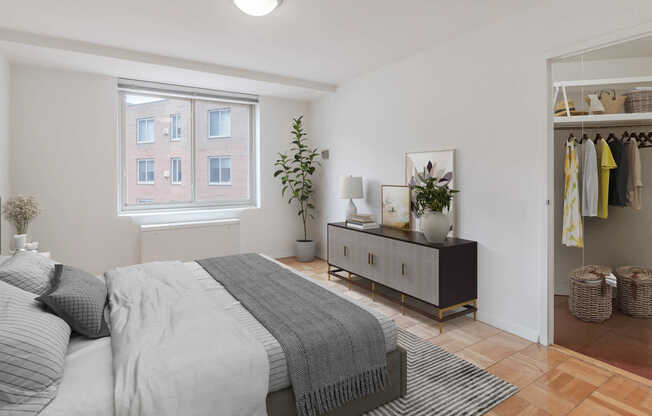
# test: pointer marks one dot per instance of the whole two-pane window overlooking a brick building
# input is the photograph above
(191, 170)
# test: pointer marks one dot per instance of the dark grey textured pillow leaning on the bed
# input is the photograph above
(79, 298)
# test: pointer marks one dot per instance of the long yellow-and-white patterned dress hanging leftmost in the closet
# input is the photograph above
(572, 227)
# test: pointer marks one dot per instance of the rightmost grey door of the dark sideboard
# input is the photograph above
(414, 270)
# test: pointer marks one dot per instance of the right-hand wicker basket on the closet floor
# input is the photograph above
(635, 291)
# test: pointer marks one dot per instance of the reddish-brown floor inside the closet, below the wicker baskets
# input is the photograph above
(621, 341)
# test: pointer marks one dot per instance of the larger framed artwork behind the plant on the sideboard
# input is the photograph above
(421, 165)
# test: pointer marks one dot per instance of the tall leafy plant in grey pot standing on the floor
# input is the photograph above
(295, 169)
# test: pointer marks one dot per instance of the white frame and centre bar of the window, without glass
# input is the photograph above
(182, 210)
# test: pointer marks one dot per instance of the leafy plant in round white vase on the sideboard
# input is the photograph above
(431, 199)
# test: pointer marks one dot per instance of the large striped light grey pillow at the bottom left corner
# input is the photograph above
(32, 352)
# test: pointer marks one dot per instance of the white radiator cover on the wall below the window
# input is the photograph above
(189, 241)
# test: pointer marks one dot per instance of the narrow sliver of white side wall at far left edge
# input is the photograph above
(4, 147)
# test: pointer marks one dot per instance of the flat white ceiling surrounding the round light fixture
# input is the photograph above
(324, 41)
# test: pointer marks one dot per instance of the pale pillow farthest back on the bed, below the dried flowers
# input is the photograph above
(28, 271)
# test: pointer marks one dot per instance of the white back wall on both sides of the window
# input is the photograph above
(64, 150)
